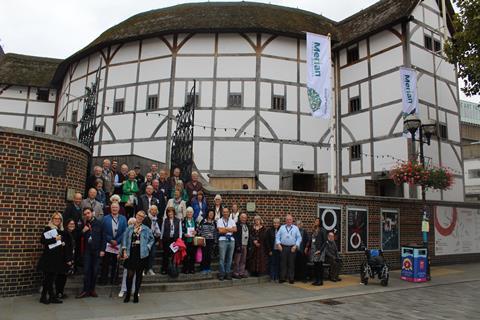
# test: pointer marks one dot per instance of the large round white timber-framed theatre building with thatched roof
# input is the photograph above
(253, 118)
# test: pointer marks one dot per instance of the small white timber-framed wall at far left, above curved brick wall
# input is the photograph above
(20, 108)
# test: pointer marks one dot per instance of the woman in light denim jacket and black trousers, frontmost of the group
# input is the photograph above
(136, 245)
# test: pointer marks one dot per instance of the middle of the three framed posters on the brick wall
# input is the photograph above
(357, 229)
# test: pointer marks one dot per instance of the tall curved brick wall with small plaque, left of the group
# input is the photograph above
(28, 197)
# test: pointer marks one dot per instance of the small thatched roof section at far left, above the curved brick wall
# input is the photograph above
(17, 69)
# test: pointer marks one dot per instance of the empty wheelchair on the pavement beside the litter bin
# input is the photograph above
(374, 265)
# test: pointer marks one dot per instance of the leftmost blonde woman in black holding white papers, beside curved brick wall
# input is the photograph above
(52, 261)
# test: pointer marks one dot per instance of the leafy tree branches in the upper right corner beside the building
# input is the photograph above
(464, 47)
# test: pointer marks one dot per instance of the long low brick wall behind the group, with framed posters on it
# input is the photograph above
(303, 206)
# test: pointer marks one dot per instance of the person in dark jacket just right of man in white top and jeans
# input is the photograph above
(242, 244)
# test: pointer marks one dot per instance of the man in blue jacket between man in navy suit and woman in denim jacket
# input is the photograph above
(113, 227)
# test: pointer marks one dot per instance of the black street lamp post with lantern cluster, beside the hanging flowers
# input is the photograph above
(425, 131)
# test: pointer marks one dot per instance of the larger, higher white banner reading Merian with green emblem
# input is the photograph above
(319, 86)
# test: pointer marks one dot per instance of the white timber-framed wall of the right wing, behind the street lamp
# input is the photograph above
(374, 78)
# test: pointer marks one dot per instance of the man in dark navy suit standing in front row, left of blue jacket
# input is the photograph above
(92, 243)
